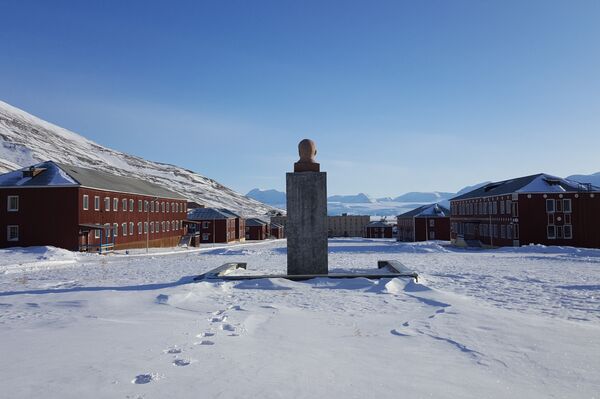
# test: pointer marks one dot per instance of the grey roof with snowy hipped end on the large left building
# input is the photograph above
(53, 174)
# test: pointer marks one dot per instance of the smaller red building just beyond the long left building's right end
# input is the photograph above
(213, 225)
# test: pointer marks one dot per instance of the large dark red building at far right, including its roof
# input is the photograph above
(536, 209)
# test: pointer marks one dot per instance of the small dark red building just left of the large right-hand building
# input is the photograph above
(427, 222)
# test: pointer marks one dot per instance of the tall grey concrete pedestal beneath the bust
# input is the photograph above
(306, 228)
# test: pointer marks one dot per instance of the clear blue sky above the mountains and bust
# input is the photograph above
(399, 95)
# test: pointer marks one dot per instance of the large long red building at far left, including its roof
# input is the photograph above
(83, 209)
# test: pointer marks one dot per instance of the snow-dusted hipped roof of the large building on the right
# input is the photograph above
(539, 183)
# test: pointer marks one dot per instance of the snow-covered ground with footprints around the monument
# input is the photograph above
(509, 323)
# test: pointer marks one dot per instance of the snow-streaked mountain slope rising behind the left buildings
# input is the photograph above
(26, 139)
